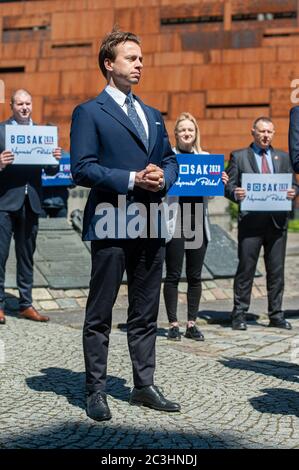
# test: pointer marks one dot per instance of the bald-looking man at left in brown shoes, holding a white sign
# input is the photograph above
(20, 188)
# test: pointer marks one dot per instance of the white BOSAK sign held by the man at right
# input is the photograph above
(266, 192)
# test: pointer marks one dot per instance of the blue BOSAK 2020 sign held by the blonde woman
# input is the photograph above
(199, 175)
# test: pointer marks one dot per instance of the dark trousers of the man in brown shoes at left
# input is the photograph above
(23, 225)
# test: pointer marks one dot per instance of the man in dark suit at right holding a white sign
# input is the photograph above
(257, 229)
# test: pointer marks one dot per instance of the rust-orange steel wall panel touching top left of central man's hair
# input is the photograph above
(87, 24)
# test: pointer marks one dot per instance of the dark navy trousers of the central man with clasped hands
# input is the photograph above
(143, 260)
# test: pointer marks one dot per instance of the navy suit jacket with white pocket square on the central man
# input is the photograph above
(105, 147)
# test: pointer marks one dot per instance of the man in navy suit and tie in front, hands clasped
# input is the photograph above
(119, 147)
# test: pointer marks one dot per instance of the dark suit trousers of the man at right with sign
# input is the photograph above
(251, 239)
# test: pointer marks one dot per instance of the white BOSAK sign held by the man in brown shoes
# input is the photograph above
(31, 145)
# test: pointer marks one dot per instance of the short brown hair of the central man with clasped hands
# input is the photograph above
(109, 43)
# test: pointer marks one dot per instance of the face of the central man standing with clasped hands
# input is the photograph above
(125, 70)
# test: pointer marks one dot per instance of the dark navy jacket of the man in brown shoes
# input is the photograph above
(14, 178)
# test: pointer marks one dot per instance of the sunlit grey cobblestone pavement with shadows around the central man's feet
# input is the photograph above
(237, 390)
